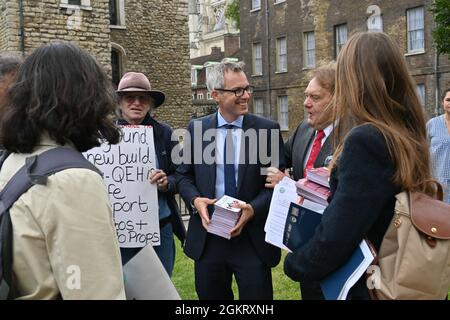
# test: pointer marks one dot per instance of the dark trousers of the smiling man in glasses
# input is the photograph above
(224, 258)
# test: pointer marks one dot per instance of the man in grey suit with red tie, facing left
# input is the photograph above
(310, 146)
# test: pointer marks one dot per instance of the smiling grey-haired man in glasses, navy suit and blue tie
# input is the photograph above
(201, 181)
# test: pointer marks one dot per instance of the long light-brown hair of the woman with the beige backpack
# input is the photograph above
(373, 86)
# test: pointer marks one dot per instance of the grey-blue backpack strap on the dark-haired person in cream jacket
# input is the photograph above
(36, 170)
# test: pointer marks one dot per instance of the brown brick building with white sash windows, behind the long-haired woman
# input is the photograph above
(289, 38)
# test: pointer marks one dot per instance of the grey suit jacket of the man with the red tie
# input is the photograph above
(296, 149)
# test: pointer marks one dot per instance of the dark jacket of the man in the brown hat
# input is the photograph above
(163, 148)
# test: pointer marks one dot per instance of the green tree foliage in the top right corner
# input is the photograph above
(441, 32)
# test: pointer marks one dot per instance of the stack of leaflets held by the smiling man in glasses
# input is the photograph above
(225, 216)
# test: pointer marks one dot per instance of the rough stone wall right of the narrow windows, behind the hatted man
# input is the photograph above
(156, 42)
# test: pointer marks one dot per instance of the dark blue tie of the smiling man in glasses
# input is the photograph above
(229, 172)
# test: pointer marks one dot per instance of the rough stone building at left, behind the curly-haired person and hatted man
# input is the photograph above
(134, 35)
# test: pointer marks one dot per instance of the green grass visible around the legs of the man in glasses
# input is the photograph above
(183, 278)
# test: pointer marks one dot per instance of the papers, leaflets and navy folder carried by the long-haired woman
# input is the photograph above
(290, 225)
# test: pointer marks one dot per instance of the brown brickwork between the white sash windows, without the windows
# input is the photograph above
(292, 18)
